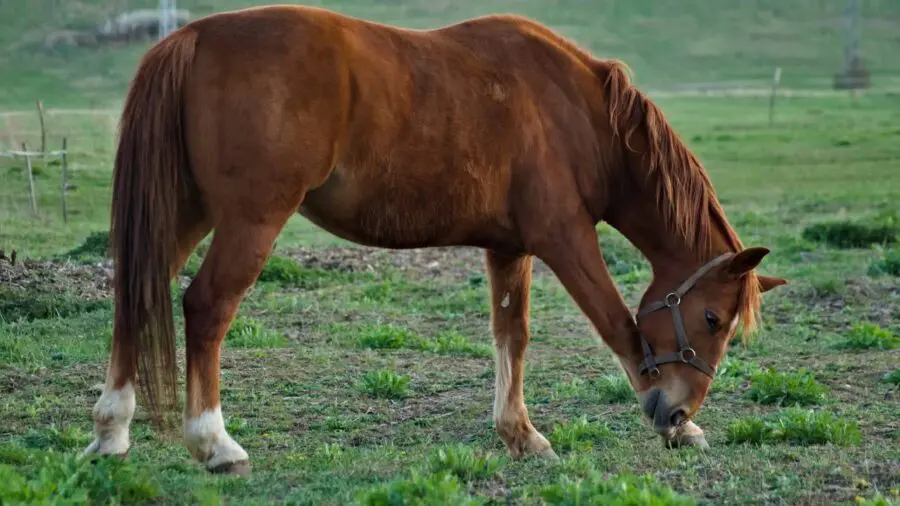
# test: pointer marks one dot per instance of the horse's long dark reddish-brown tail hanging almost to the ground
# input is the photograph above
(151, 169)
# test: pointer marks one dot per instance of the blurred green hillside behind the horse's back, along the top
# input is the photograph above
(669, 43)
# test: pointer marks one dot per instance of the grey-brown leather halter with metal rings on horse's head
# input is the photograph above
(685, 353)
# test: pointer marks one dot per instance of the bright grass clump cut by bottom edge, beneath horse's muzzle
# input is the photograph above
(623, 489)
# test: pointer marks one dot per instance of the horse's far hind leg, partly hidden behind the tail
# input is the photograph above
(114, 409)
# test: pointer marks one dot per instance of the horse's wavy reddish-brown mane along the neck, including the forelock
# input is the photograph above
(684, 193)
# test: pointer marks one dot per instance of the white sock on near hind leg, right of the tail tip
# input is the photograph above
(208, 442)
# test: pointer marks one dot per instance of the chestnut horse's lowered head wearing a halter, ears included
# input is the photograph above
(686, 320)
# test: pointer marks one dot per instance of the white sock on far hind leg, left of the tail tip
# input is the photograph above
(112, 418)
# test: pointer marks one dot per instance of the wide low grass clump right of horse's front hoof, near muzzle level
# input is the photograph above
(795, 426)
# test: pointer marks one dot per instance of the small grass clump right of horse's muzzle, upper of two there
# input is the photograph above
(799, 388)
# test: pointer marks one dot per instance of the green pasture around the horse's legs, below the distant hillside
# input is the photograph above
(365, 375)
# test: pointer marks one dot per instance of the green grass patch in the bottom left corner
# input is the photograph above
(51, 478)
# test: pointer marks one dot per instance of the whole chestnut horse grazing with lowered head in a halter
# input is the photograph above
(493, 133)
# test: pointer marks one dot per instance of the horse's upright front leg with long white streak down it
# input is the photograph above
(510, 278)
